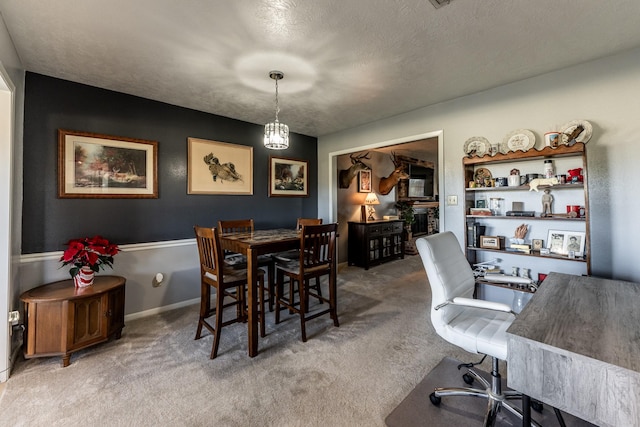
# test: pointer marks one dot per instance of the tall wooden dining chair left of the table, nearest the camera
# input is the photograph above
(228, 282)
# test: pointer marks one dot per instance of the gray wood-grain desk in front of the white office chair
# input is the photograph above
(576, 346)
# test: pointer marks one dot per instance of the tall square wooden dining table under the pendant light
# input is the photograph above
(251, 245)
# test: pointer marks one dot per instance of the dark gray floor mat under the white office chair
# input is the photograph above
(416, 409)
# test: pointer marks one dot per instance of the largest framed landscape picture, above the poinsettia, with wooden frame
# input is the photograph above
(92, 165)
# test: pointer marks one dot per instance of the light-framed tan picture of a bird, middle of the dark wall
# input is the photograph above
(219, 168)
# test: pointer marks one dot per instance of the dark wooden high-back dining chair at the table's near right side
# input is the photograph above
(316, 258)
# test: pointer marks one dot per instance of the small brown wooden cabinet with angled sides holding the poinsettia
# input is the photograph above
(62, 319)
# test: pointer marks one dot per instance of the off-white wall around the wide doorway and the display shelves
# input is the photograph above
(604, 92)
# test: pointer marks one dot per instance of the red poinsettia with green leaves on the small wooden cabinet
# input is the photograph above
(95, 252)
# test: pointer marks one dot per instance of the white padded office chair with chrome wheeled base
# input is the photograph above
(475, 325)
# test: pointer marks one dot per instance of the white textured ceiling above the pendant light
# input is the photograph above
(346, 62)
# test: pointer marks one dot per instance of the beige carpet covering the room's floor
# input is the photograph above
(158, 375)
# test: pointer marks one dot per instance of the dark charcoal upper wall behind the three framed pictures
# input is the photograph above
(49, 222)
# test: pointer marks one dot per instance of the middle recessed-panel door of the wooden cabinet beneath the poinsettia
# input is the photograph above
(86, 321)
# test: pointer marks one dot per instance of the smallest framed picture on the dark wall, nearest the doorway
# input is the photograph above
(288, 177)
